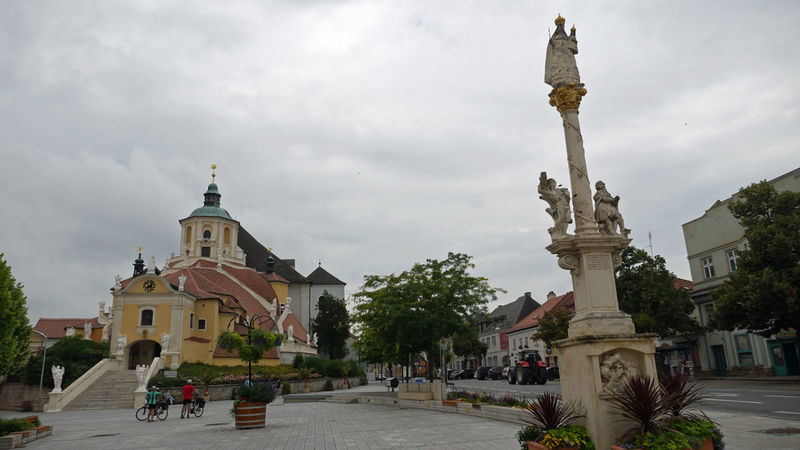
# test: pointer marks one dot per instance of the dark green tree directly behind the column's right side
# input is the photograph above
(647, 291)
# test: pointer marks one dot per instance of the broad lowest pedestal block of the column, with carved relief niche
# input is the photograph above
(582, 359)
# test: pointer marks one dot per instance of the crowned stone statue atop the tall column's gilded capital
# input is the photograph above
(560, 68)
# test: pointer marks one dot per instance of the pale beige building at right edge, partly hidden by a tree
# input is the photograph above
(713, 242)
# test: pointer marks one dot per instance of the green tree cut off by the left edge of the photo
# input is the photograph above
(15, 331)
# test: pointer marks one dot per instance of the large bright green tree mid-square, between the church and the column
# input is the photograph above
(402, 315)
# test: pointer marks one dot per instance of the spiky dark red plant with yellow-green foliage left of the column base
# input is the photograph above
(549, 425)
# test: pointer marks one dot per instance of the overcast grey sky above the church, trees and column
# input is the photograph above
(372, 135)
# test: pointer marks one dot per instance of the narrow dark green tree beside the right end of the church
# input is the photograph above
(332, 326)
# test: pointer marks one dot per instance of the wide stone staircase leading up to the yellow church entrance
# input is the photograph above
(112, 390)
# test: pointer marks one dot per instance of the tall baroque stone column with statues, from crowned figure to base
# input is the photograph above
(602, 348)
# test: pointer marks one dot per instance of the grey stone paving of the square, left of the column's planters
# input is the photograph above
(317, 425)
